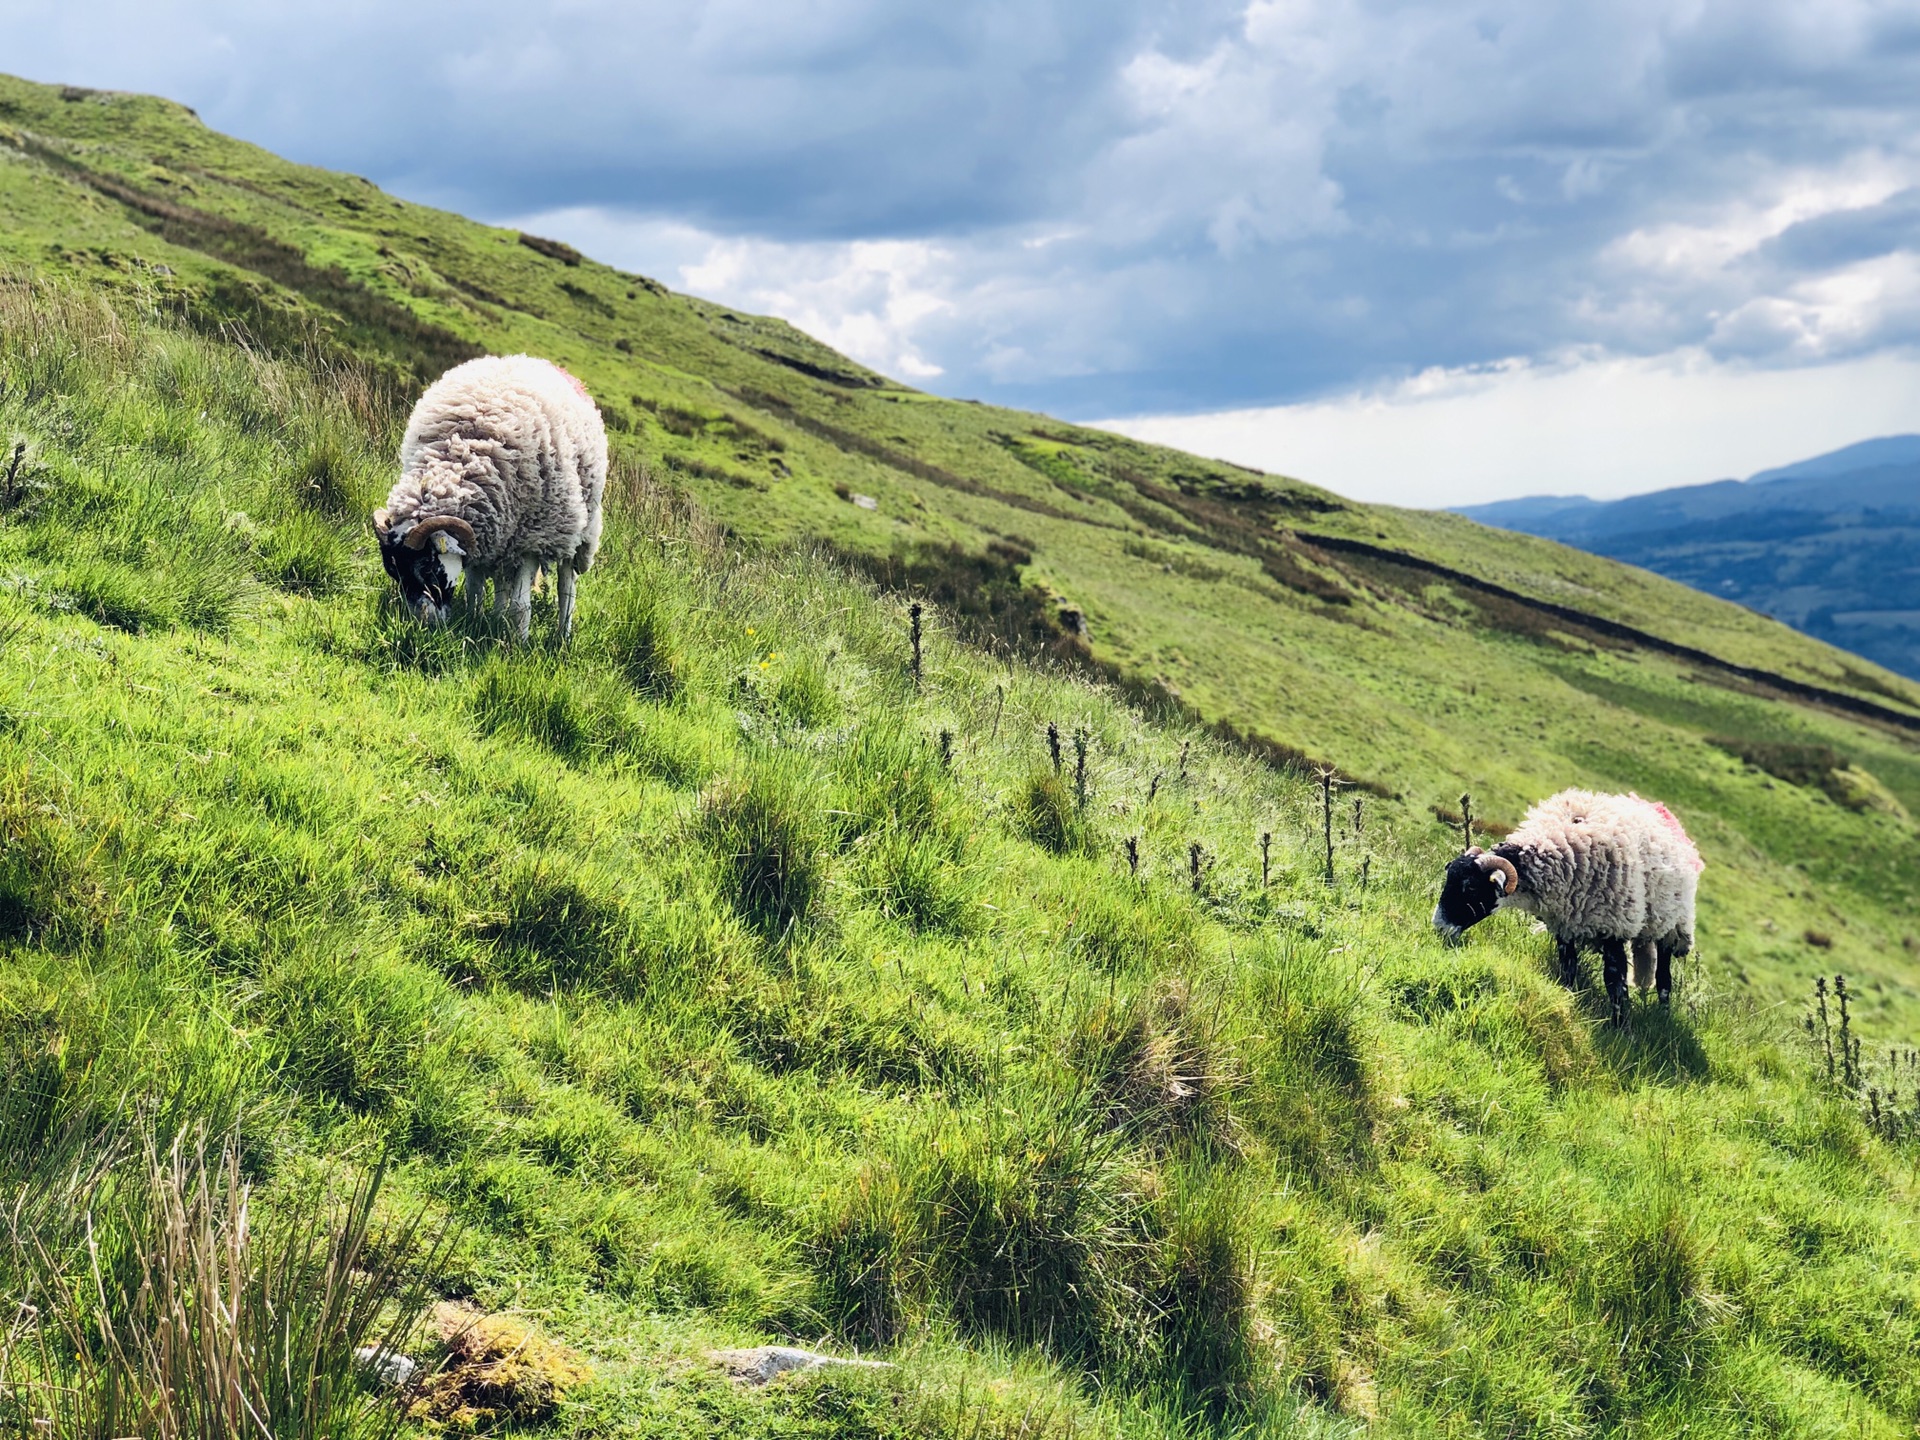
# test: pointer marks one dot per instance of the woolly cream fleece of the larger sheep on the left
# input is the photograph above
(514, 446)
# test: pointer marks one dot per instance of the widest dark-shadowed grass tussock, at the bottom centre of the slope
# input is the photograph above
(1049, 1232)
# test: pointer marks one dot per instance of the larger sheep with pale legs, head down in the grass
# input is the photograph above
(502, 473)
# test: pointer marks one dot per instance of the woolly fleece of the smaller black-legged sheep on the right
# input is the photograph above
(1606, 867)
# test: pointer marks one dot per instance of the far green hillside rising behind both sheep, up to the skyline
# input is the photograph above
(1243, 596)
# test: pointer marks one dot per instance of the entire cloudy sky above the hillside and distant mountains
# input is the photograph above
(1420, 251)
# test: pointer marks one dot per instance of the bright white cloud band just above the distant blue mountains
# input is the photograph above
(1587, 425)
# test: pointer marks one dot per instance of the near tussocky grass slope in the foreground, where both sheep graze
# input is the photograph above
(731, 986)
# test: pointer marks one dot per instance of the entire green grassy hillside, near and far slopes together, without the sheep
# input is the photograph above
(729, 986)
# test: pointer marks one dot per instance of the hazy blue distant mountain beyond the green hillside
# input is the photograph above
(1829, 546)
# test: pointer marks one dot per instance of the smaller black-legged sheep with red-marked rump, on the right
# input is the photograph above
(1608, 871)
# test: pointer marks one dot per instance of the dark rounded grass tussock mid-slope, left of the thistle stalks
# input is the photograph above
(769, 836)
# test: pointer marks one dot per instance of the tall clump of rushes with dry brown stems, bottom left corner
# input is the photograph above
(191, 1314)
